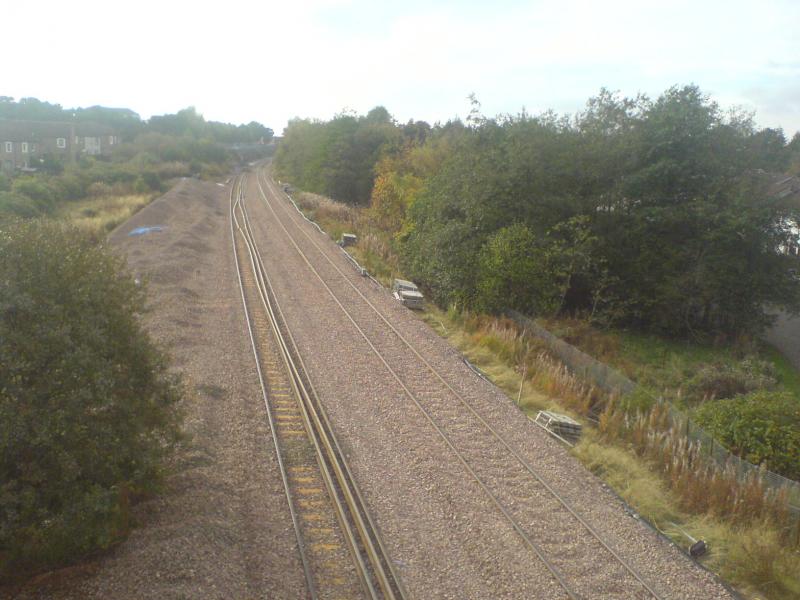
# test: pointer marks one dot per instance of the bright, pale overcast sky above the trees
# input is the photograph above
(270, 61)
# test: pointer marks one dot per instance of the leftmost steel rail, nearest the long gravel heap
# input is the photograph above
(270, 417)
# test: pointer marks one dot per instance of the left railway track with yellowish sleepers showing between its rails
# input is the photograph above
(340, 550)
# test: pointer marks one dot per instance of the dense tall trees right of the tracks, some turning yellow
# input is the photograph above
(650, 213)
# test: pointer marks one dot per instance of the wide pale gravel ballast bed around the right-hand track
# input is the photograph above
(447, 537)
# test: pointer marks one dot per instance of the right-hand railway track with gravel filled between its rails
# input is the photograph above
(582, 563)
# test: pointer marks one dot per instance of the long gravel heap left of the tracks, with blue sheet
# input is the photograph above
(221, 529)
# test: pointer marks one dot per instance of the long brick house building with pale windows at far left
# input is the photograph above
(24, 143)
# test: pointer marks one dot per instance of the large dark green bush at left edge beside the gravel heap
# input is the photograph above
(88, 410)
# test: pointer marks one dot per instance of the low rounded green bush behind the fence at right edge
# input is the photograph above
(762, 427)
